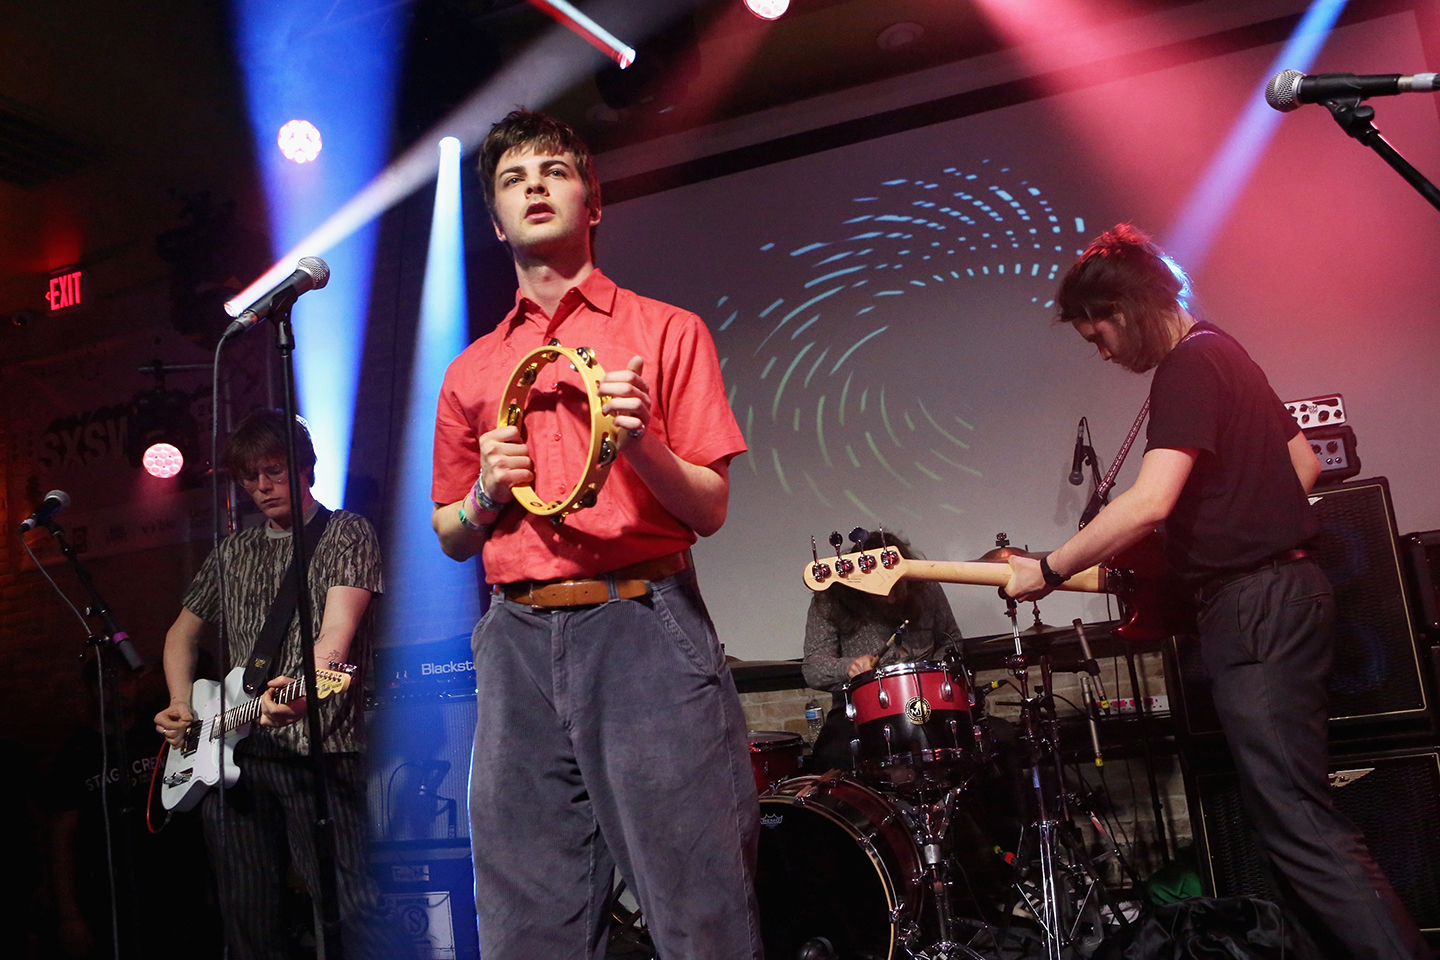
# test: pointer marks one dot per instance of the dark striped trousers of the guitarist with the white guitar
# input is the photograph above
(267, 827)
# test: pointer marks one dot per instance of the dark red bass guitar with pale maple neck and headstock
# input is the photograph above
(1154, 602)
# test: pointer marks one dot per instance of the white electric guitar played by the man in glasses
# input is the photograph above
(195, 768)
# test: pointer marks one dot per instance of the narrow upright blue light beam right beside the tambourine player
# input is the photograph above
(426, 589)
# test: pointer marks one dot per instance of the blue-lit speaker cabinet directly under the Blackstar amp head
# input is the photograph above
(420, 768)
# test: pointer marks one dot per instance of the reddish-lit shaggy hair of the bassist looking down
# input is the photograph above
(1124, 274)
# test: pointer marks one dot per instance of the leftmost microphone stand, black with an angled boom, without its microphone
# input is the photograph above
(107, 644)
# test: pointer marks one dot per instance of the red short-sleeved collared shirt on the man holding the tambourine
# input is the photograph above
(689, 414)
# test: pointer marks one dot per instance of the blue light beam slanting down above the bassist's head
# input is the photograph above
(1194, 231)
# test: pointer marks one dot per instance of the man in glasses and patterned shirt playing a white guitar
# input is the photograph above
(270, 808)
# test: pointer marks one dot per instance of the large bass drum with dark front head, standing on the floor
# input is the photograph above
(836, 861)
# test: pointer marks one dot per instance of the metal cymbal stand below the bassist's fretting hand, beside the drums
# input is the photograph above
(1065, 869)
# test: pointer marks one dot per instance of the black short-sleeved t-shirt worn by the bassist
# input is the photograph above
(1243, 502)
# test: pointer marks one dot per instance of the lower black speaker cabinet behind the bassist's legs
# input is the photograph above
(1393, 798)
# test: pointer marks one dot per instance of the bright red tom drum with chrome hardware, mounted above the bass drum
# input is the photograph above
(914, 723)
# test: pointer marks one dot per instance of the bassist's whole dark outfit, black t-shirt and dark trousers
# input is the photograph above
(1268, 637)
